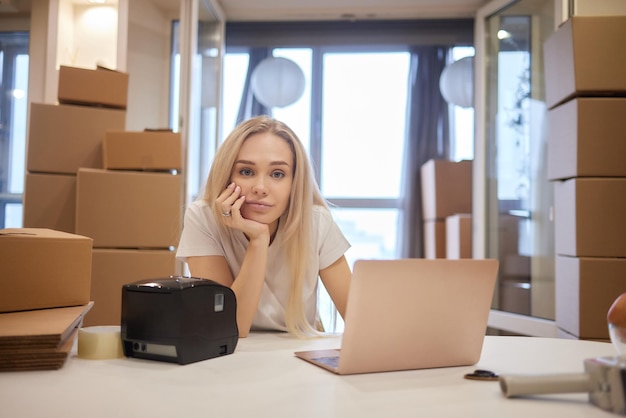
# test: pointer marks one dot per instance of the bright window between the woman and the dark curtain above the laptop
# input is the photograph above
(363, 120)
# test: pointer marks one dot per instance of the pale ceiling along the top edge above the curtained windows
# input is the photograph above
(300, 10)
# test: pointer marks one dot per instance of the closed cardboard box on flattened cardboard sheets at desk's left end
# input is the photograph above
(45, 279)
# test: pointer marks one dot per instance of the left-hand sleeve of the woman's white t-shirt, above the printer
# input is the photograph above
(200, 235)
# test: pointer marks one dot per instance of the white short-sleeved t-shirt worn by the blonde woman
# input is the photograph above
(202, 236)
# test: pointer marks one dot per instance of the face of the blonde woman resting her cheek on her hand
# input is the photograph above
(264, 171)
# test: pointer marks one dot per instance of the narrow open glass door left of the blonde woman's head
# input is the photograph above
(197, 64)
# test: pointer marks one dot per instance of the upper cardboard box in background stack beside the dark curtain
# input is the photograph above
(446, 188)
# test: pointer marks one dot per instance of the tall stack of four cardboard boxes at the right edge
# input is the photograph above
(585, 64)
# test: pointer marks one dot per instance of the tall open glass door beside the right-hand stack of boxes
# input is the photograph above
(517, 197)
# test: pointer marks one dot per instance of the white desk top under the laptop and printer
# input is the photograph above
(263, 379)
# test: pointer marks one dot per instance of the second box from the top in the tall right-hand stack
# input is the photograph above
(587, 138)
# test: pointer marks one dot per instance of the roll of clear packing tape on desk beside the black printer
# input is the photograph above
(100, 343)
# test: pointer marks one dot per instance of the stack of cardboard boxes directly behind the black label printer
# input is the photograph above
(132, 209)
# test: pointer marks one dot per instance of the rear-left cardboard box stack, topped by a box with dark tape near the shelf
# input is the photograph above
(64, 137)
